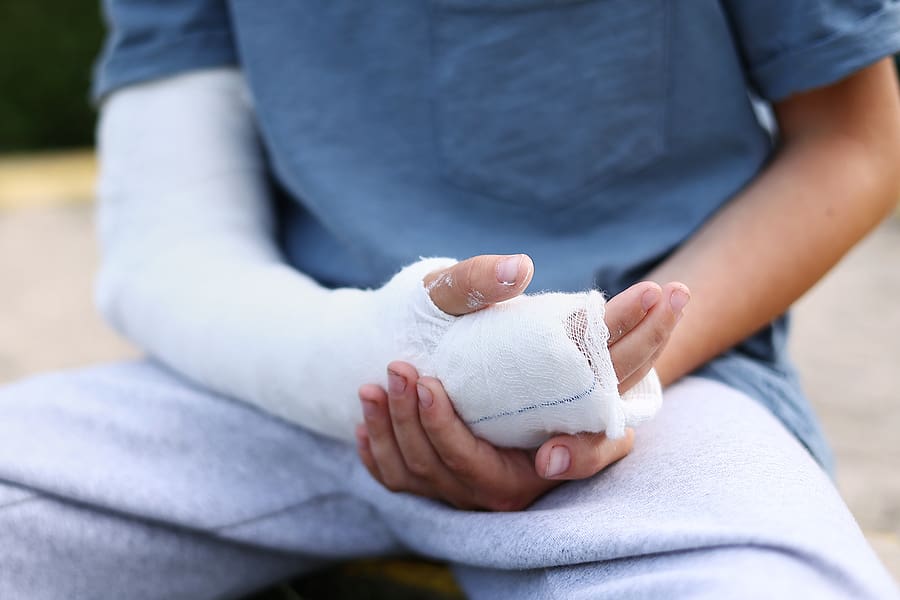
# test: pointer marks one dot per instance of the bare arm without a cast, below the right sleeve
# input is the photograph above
(825, 189)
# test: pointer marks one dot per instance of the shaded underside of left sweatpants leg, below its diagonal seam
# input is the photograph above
(52, 549)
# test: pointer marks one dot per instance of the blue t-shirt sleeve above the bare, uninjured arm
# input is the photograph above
(799, 45)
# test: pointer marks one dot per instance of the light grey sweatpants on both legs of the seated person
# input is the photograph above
(126, 482)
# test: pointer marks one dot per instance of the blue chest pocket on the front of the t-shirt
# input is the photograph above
(541, 101)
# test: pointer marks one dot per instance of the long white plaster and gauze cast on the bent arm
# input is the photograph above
(191, 273)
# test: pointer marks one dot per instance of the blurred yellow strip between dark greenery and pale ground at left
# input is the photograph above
(47, 179)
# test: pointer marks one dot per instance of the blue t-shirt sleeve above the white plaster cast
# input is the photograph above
(148, 39)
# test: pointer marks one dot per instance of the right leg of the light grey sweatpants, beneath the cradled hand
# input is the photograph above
(716, 492)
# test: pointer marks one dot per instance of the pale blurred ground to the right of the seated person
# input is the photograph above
(847, 345)
